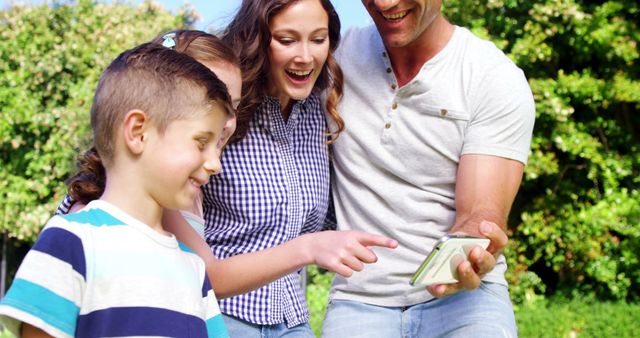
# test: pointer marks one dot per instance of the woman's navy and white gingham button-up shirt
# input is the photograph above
(274, 186)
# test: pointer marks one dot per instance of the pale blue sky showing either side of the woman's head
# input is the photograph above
(216, 13)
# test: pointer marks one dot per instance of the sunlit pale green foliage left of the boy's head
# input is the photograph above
(51, 57)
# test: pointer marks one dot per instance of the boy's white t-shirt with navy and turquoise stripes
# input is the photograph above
(101, 273)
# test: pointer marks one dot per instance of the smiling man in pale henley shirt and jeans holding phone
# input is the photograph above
(439, 125)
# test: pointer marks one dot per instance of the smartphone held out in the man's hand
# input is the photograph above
(440, 265)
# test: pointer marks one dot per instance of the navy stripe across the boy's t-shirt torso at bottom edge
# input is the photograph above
(139, 321)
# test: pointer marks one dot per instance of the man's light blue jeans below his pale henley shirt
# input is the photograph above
(484, 312)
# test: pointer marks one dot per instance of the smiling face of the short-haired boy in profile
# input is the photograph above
(180, 160)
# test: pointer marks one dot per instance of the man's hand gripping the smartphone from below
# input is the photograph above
(479, 262)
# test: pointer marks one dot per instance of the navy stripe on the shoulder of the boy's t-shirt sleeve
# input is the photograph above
(63, 245)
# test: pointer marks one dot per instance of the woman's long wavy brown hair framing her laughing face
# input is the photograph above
(249, 35)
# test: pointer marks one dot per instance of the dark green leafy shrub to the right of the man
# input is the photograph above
(576, 221)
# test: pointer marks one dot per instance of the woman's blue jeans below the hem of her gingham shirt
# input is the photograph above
(239, 328)
